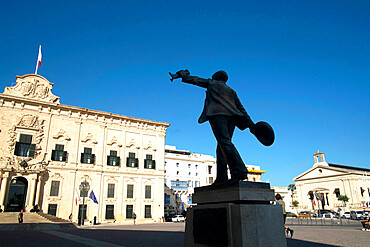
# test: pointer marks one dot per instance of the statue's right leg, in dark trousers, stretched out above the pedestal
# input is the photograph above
(223, 129)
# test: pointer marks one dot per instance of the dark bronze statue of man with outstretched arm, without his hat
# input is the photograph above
(223, 110)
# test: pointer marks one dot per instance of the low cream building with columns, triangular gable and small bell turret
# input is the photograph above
(320, 186)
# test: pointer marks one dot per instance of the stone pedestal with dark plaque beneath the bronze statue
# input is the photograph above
(235, 216)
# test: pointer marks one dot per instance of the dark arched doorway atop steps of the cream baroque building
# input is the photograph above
(17, 194)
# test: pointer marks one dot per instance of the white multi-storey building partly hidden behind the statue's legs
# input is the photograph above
(185, 171)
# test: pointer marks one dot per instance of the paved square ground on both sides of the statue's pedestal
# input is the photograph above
(169, 234)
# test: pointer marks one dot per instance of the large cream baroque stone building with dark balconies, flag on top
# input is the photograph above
(48, 149)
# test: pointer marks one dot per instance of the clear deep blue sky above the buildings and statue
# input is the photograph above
(302, 67)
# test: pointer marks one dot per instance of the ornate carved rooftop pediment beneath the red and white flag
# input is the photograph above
(34, 87)
